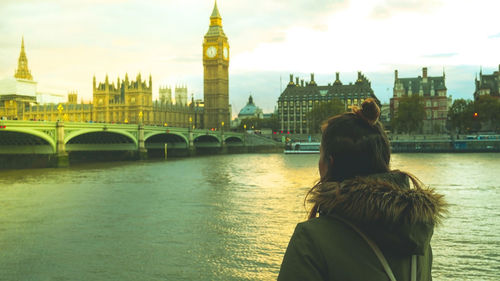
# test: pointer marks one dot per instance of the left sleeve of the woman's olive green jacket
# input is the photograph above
(302, 260)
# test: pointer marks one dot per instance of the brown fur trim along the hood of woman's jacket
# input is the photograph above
(382, 198)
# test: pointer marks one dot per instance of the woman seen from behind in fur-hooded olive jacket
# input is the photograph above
(366, 222)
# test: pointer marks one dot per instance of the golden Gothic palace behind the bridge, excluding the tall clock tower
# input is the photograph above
(122, 101)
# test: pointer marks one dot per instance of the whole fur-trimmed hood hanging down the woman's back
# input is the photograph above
(397, 217)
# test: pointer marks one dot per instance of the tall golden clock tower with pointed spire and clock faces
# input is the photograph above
(215, 74)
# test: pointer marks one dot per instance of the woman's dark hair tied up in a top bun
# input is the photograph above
(356, 142)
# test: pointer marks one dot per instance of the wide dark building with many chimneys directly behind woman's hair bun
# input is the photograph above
(299, 98)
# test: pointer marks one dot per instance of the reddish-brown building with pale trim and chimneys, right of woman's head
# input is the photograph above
(434, 96)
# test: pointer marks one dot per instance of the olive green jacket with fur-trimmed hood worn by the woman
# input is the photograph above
(398, 219)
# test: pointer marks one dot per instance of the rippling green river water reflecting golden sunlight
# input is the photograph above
(225, 217)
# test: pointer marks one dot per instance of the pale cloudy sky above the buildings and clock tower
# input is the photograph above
(69, 41)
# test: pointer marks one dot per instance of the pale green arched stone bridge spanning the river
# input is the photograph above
(60, 139)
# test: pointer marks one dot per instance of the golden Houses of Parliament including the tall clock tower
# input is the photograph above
(130, 100)
